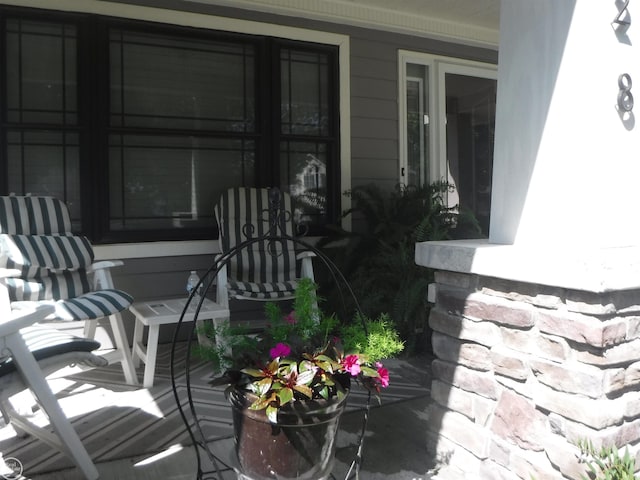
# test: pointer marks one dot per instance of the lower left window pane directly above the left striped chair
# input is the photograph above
(45, 163)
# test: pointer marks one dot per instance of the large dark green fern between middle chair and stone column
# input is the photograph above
(378, 256)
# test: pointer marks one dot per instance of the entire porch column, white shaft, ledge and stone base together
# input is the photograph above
(537, 330)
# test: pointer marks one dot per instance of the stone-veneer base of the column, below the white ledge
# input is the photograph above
(523, 371)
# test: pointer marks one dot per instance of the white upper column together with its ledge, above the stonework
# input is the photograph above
(566, 178)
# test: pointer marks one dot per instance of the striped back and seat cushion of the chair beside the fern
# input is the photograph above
(244, 213)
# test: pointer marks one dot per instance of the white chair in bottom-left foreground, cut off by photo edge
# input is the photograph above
(27, 355)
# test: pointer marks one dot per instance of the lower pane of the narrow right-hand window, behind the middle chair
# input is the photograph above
(304, 175)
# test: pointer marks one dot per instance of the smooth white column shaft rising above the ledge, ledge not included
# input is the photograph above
(567, 161)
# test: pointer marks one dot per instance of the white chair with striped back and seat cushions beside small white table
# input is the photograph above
(56, 268)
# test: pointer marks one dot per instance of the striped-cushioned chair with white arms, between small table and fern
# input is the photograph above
(264, 270)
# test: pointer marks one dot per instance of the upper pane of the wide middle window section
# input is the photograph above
(178, 83)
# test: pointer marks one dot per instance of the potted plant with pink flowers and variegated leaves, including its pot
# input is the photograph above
(289, 383)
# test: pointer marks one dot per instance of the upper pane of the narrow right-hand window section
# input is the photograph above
(305, 78)
